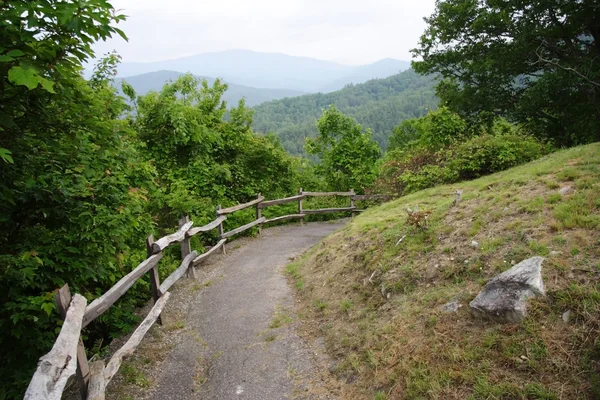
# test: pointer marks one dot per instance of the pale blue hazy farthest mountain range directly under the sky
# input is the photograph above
(267, 70)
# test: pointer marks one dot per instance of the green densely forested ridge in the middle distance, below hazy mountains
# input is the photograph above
(379, 104)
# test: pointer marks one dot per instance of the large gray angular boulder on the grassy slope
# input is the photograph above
(504, 297)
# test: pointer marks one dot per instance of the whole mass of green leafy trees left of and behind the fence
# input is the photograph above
(81, 187)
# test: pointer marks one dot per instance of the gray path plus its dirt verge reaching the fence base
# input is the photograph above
(232, 332)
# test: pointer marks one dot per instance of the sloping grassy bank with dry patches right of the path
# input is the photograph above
(378, 304)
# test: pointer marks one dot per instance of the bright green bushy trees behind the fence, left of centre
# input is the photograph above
(203, 161)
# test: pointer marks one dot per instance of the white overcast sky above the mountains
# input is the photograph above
(346, 31)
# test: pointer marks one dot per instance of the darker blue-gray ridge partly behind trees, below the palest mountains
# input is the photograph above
(154, 81)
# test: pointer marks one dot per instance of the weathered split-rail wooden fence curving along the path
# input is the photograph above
(68, 355)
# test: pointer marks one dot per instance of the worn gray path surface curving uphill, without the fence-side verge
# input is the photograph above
(242, 342)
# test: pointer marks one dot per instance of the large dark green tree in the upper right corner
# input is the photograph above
(534, 62)
